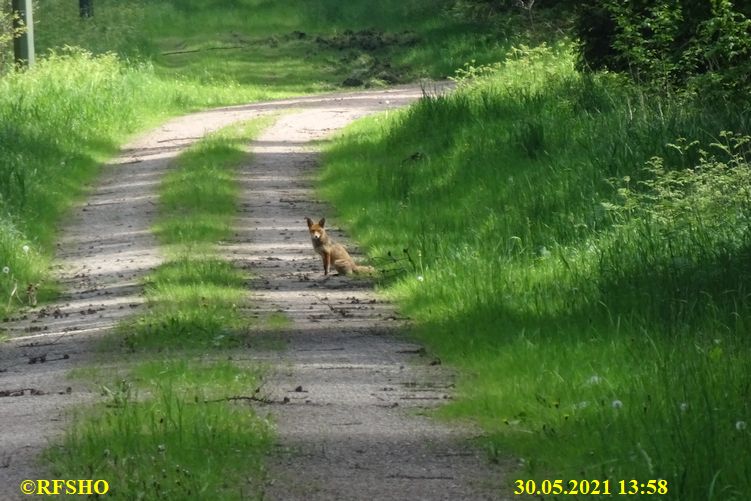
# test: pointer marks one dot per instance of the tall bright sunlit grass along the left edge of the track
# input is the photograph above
(58, 121)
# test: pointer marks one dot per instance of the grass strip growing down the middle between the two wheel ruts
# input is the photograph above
(172, 427)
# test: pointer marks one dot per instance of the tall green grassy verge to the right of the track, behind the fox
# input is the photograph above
(585, 268)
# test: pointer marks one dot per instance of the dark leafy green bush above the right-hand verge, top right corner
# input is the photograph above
(703, 46)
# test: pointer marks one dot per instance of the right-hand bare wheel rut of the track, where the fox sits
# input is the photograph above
(349, 388)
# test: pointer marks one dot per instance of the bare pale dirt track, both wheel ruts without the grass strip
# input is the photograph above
(351, 428)
